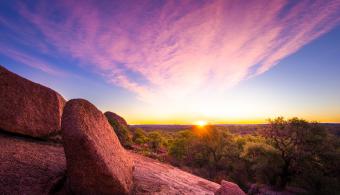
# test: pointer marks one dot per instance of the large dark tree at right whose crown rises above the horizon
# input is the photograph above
(301, 146)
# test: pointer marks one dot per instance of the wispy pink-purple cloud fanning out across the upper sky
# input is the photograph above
(177, 49)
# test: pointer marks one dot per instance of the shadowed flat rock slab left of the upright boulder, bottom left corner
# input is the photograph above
(29, 166)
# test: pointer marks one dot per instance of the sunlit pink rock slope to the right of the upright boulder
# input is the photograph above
(154, 177)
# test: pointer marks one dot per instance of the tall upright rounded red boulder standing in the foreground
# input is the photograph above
(96, 161)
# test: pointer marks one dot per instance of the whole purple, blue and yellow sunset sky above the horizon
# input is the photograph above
(178, 62)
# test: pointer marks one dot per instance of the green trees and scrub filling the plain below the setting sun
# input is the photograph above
(282, 154)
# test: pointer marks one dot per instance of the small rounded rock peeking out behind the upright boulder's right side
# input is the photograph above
(121, 128)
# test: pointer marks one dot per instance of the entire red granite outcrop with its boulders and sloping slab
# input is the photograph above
(87, 159)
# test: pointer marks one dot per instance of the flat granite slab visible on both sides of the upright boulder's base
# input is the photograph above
(29, 166)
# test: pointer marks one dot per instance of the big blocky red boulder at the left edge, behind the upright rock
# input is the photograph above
(28, 108)
